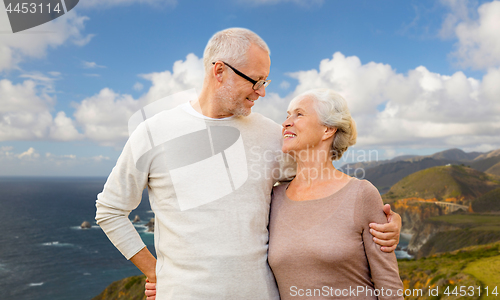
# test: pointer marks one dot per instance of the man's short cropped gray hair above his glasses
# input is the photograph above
(231, 45)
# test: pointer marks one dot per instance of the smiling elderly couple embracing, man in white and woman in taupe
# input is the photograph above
(223, 233)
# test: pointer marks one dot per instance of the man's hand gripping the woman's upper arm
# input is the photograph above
(387, 235)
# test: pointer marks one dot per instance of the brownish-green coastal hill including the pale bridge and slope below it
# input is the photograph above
(435, 192)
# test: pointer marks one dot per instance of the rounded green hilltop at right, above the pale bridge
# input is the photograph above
(443, 182)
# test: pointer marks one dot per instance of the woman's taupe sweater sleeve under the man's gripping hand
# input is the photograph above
(383, 266)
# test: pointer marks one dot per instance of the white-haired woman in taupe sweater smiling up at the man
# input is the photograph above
(320, 244)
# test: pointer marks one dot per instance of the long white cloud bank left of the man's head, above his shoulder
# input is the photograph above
(25, 108)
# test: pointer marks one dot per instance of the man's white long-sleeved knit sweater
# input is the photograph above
(209, 184)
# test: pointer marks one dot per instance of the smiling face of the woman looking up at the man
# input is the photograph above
(302, 130)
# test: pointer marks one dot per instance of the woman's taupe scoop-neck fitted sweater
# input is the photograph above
(322, 249)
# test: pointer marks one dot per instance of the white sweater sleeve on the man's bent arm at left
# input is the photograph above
(122, 193)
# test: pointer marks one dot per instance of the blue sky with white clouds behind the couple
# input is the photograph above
(419, 76)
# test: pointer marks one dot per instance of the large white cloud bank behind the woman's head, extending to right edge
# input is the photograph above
(419, 109)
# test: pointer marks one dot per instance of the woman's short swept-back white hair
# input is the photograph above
(333, 112)
